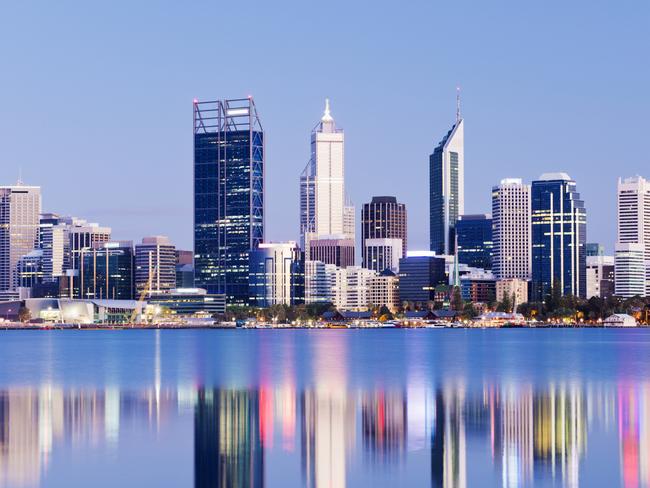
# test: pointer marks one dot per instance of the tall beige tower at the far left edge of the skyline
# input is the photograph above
(20, 208)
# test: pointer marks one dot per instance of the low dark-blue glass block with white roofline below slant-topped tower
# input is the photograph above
(419, 275)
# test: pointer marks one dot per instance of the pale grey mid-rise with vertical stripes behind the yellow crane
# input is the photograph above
(155, 266)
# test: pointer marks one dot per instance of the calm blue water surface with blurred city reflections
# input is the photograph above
(327, 408)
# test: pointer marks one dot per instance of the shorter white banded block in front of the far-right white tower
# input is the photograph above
(629, 270)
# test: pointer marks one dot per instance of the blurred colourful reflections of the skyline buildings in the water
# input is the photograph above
(526, 433)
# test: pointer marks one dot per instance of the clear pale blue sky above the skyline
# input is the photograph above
(96, 99)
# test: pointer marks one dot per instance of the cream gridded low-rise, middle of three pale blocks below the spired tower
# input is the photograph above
(351, 288)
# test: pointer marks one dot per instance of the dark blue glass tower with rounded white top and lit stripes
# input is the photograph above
(559, 232)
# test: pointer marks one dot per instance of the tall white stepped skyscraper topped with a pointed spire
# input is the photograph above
(324, 209)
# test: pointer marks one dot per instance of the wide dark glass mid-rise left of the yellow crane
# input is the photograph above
(106, 271)
